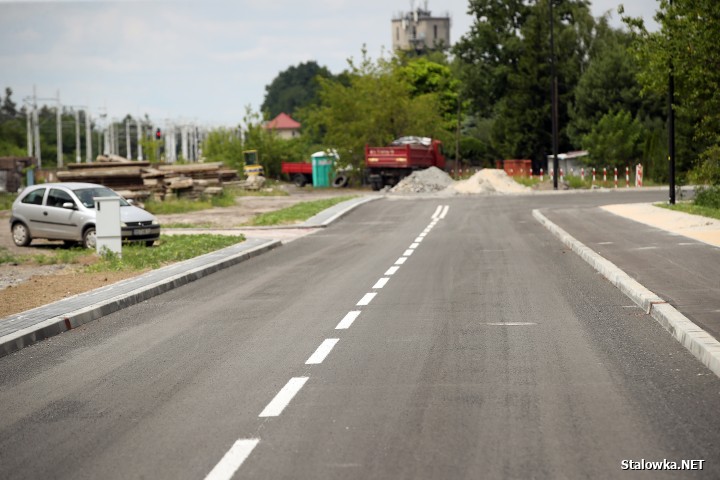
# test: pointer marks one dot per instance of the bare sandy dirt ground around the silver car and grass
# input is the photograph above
(27, 286)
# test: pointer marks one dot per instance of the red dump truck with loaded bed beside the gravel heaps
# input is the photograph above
(388, 165)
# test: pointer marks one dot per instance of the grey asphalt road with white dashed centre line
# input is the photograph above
(490, 352)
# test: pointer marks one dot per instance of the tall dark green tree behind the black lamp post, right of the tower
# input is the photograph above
(506, 69)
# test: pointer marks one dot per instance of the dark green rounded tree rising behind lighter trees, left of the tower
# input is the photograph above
(293, 88)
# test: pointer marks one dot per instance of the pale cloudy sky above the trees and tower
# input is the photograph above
(194, 61)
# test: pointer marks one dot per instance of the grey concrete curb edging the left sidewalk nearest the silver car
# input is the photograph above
(62, 323)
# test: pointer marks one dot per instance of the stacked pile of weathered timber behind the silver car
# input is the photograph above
(140, 181)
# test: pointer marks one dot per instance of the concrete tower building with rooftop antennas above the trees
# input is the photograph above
(419, 30)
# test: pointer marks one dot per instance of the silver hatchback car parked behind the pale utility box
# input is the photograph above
(66, 211)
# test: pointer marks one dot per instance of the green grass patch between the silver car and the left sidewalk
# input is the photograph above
(168, 249)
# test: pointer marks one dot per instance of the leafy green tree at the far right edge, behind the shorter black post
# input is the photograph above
(687, 39)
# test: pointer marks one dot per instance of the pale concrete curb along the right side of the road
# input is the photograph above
(700, 343)
